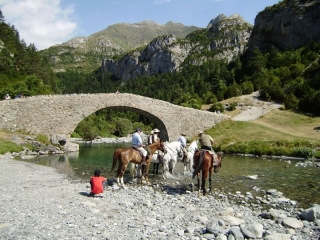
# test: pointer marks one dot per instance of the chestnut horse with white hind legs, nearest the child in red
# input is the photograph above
(126, 155)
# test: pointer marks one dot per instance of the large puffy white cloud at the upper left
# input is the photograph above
(42, 22)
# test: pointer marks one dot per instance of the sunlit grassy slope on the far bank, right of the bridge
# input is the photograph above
(278, 132)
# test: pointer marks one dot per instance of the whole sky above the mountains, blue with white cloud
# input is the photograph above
(45, 23)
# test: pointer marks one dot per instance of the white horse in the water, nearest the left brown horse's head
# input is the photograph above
(170, 158)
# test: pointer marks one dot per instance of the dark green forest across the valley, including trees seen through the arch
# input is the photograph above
(289, 76)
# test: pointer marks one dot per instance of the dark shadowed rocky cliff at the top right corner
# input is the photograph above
(287, 25)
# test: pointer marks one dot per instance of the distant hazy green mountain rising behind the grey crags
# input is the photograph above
(86, 53)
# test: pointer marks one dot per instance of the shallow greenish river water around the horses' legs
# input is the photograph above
(301, 184)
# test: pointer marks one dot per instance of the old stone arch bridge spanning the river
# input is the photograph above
(58, 115)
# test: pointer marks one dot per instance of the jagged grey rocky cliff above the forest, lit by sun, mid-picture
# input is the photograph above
(224, 38)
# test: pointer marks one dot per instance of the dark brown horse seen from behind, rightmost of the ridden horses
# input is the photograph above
(204, 162)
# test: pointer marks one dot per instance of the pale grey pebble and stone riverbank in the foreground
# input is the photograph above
(38, 202)
